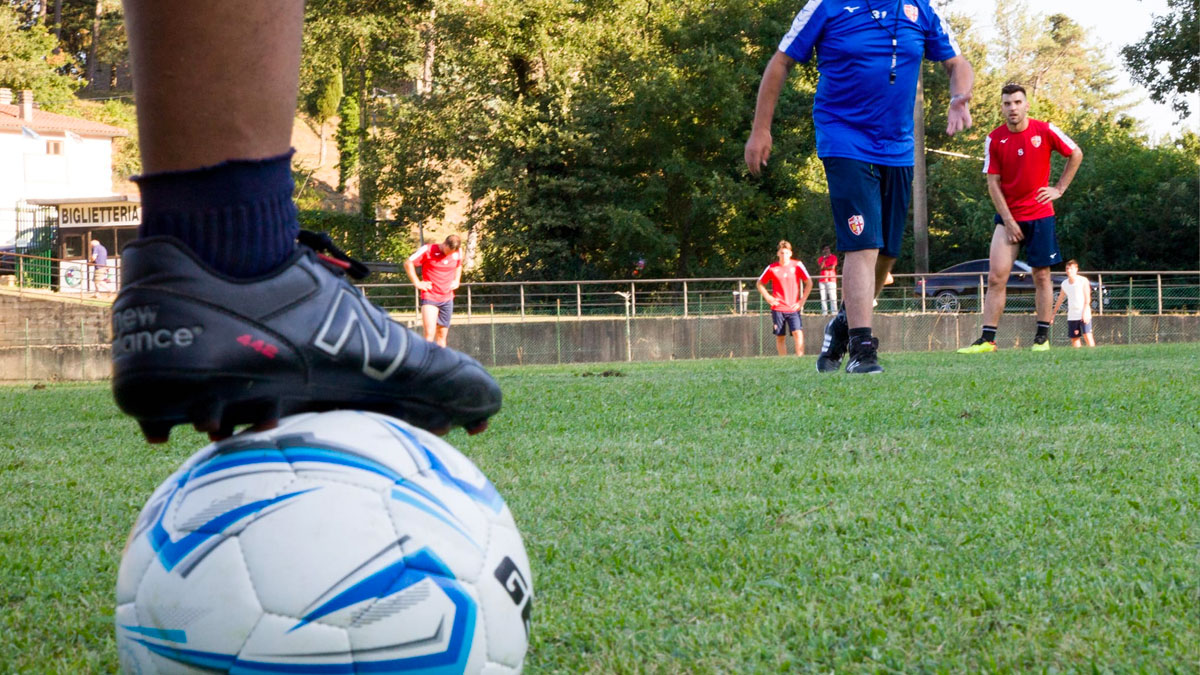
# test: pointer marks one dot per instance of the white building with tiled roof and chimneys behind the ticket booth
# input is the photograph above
(47, 157)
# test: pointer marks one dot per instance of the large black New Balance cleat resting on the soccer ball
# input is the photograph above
(191, 345)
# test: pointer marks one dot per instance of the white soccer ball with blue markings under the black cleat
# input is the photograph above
(341, 542)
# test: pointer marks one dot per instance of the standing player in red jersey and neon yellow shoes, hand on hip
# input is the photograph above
(1017, 160)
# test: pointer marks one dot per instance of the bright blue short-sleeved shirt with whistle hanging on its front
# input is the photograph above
(856, 112)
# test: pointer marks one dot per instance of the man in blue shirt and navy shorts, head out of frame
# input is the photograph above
(869, 55)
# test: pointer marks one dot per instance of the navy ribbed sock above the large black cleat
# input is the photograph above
(237, 217)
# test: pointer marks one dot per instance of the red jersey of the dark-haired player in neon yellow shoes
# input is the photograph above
(1023, 162)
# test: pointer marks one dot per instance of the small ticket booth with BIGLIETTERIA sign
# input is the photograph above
(113, 222)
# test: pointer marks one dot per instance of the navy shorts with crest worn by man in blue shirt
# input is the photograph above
(871, 205)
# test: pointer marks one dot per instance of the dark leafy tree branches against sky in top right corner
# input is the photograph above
(1167, 61)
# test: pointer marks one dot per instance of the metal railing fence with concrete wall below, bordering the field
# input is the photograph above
(505, 324)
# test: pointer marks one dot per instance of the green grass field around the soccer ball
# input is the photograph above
(1010, 512)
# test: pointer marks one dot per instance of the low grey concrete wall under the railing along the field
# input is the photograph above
(61, 341)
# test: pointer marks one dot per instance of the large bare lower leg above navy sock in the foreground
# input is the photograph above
(217, 81)
